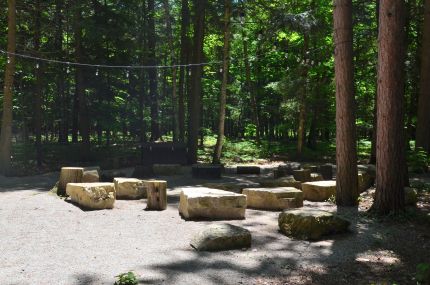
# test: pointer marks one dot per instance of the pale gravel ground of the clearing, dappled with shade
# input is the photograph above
(45, 240)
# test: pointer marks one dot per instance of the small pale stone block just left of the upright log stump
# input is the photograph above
(129, 188)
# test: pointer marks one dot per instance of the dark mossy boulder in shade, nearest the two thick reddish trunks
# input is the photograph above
(310, 224)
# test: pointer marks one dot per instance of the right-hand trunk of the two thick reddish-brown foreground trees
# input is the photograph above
(390, 151)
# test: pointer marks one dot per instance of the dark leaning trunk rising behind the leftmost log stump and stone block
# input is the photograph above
(84, 126)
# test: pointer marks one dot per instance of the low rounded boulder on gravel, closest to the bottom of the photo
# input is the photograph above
(222, 237)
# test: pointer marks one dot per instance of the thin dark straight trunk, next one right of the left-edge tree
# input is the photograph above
(38, 85)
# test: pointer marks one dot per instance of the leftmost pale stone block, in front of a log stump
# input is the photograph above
(93, 196)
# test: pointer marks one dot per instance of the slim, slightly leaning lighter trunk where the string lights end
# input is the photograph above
(223, 98)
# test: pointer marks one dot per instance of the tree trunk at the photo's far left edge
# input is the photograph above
(6, 123)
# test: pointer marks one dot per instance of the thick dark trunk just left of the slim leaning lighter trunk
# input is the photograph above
(195, 97)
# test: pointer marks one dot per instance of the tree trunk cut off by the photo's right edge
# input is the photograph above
(423, 120)
